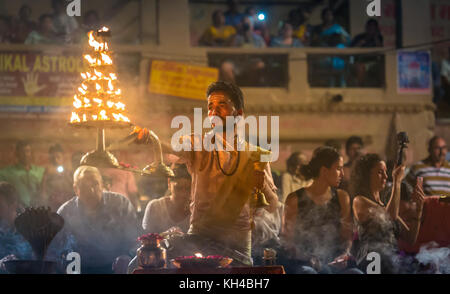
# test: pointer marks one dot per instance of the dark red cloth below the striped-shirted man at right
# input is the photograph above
(435, 226)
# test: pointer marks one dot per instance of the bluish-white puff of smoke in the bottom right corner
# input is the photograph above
(437, 258)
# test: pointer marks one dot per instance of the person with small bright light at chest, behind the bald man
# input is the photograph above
(57, 181)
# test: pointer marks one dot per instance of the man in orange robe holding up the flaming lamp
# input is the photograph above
(222, 182)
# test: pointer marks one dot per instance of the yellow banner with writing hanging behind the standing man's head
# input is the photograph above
(181, 80)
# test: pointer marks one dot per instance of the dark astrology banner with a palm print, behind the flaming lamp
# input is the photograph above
(37, 82)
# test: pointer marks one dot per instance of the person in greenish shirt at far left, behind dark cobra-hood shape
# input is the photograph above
(24, 176)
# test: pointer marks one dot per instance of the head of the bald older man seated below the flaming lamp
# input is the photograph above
(89, 189)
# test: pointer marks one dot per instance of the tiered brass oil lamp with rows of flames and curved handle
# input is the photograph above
(98, 104)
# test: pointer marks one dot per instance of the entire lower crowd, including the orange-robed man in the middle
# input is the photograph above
(325, 216)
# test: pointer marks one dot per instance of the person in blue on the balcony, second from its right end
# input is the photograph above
(329, 33)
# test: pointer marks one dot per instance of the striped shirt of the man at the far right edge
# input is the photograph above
(436, 181)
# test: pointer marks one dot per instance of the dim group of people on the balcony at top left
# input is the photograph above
(55, 27)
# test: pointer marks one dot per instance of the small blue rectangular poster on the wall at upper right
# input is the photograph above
(414, 72)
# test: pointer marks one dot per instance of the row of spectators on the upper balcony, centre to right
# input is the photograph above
(235, 29)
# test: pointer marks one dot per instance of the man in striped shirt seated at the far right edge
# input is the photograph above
(435, 169)
